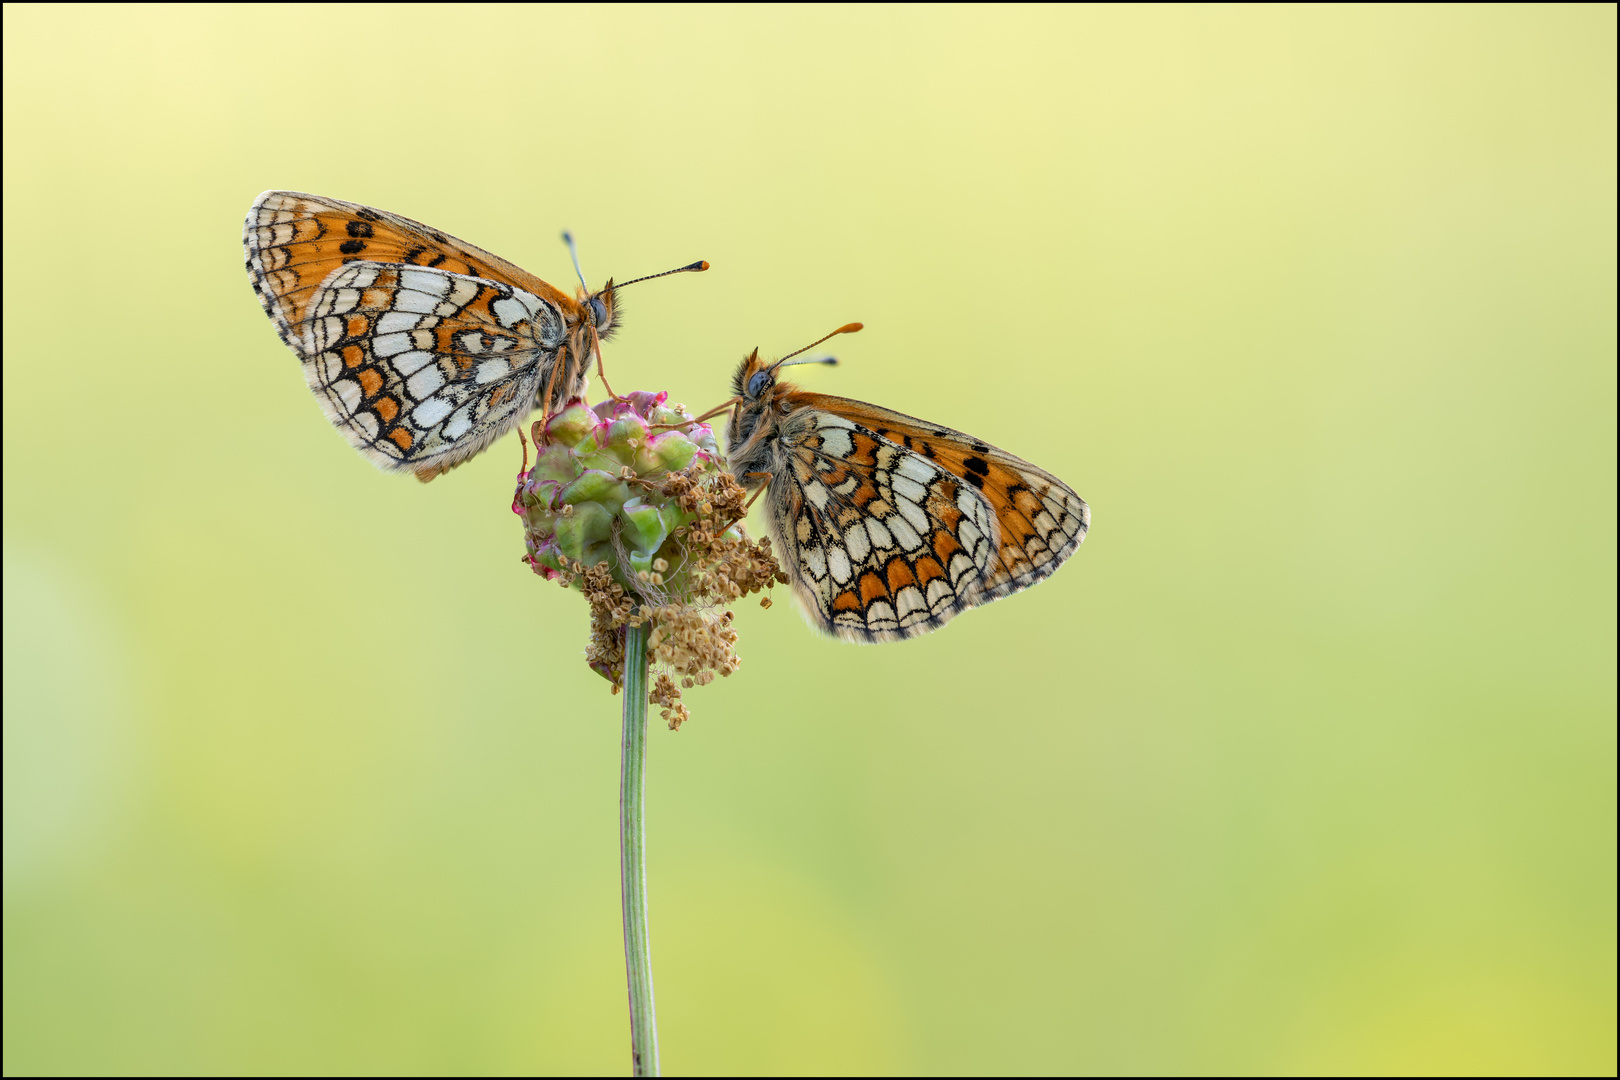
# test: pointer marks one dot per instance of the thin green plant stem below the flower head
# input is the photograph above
(633, 857)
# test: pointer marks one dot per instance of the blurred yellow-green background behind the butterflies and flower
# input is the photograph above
(1305, 762)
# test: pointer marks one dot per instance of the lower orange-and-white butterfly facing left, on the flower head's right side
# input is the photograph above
(885, 524)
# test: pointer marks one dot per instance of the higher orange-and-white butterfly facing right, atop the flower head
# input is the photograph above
(420, 347)
